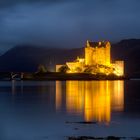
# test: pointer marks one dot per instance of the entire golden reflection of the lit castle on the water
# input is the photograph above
(95, 100)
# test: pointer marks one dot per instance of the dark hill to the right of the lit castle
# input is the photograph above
(129, 51)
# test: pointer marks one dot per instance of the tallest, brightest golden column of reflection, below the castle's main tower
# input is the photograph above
(97, 102)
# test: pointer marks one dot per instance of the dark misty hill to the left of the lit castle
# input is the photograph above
(27, 58)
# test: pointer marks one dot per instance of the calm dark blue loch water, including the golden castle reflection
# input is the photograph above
(52, 110)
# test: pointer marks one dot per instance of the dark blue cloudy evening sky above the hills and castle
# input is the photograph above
(67, 23)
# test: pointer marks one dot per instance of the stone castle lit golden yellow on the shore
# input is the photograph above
(97, 60)
